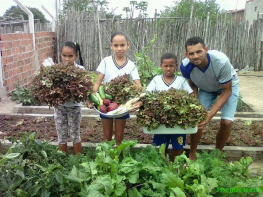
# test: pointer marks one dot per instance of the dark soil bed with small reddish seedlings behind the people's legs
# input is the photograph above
(244, 133)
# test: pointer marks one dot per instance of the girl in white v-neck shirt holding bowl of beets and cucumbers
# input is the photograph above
(110, 68)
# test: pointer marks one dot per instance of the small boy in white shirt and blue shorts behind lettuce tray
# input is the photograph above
(164, 82)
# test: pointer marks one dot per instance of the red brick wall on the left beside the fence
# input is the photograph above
(18, 60)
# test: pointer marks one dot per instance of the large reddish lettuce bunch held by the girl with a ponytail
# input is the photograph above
(61, 83)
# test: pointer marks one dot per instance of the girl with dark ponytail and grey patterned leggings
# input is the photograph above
(68, 116)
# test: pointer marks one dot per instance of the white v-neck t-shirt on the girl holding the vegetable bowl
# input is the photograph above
(109, 67)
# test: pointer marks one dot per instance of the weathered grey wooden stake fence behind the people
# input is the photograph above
(242, 44)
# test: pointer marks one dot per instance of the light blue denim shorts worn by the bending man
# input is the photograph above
(229, 109)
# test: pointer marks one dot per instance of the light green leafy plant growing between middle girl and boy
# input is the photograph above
(146, 68)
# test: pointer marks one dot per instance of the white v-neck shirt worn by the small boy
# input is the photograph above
(158, 83)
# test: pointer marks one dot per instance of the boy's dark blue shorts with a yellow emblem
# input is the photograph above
(177, 140)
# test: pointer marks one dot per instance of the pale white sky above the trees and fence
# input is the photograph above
(115, 5)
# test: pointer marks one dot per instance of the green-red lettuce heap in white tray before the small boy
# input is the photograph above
(170, 108)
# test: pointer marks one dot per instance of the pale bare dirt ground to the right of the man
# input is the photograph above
(251, 88)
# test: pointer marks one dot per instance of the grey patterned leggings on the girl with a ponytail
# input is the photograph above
(67, 120)
